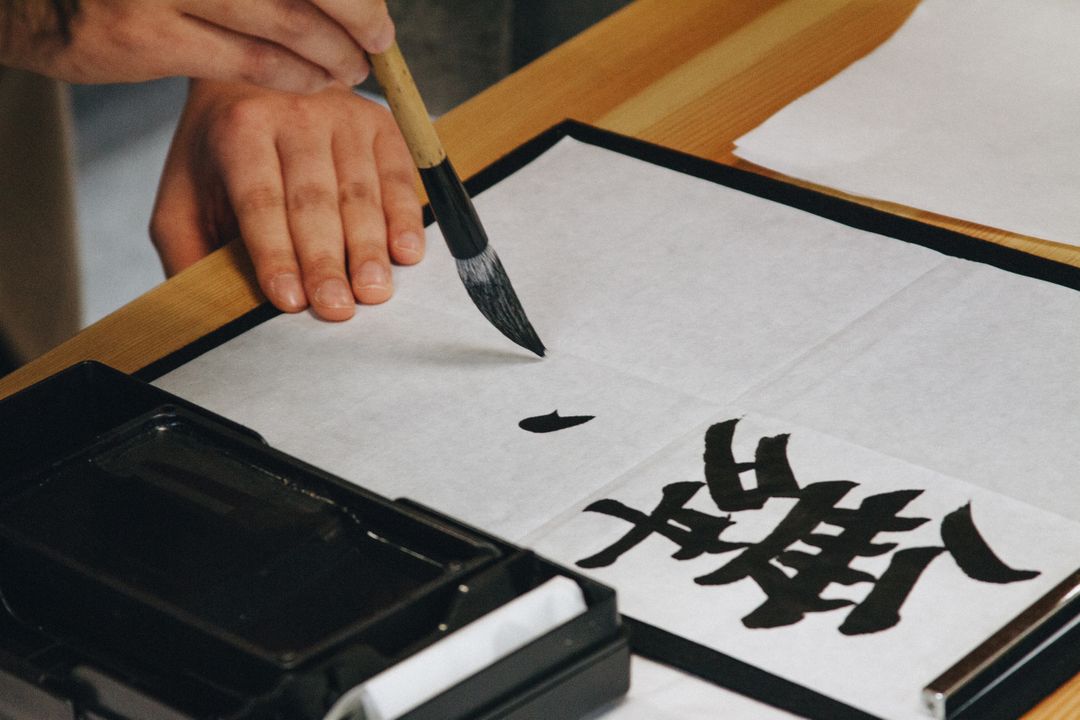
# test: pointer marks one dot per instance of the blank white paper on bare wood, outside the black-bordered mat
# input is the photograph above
(969, 111)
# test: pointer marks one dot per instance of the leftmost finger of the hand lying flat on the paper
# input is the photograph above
(253, 180)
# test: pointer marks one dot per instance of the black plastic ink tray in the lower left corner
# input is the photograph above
(159, 562)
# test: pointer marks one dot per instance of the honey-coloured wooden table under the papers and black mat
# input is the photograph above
(692, 75)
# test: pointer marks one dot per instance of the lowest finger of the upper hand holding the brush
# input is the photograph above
(205, 50)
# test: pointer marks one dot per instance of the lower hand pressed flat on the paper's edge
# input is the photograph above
(320, 187)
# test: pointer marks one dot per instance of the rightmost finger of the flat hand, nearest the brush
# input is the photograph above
(401, 206)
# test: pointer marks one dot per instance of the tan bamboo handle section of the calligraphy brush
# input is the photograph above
(408, 106)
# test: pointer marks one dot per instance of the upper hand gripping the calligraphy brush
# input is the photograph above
(300, 46)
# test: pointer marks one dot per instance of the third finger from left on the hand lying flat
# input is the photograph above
(366, 228)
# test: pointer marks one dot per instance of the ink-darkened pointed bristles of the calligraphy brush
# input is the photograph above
(488, 284)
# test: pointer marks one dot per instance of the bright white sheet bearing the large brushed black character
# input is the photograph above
(947, 615)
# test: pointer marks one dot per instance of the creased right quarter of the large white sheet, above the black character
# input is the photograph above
(977, 379)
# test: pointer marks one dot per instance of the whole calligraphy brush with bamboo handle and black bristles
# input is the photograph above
(479, 267)
